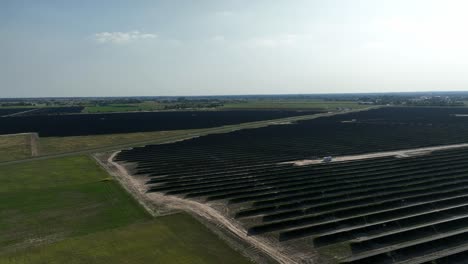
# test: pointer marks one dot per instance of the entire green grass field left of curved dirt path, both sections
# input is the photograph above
(69, 210)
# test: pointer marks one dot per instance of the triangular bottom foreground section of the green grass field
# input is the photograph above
(168, 239)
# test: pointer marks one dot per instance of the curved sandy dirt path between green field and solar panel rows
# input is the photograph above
(137, 187)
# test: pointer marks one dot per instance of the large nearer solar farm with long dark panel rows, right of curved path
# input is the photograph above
(408, 208)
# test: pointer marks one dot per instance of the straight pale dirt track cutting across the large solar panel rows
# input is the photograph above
(396, 153)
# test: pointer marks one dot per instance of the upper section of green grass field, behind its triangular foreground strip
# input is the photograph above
(59, 198)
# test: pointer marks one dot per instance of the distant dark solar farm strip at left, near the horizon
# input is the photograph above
(50, 122)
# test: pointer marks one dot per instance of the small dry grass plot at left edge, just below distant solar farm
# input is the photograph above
(14, 147)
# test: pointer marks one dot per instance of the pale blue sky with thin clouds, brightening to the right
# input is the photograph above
(175, 47)
